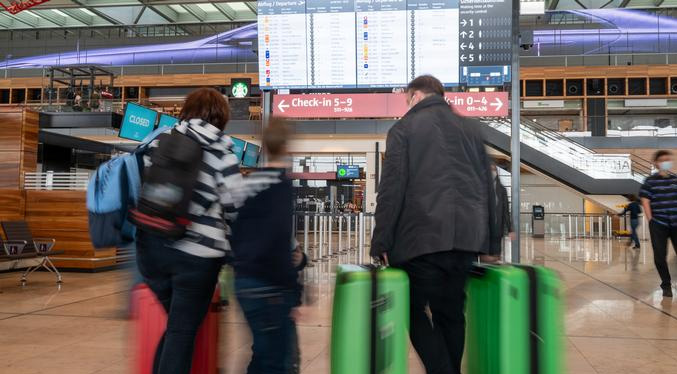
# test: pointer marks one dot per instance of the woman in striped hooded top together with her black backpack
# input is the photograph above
(180, 256)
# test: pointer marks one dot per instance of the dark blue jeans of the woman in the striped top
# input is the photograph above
(184, 284)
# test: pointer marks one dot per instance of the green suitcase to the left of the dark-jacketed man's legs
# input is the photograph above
(366, 297)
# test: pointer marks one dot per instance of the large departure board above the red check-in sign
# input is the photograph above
(317, 44)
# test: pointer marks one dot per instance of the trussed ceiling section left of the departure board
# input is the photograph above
(99, 13)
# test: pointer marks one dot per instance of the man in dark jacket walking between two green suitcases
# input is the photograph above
(435, 214)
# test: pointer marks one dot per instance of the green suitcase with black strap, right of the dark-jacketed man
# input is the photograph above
(514, 320)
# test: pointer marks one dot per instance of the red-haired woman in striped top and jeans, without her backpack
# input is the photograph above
(183, 273)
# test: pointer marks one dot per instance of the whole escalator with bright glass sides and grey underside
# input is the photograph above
(555, 156)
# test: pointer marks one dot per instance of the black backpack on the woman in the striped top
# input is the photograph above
(168, 185)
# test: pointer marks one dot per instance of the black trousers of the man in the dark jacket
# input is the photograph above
(437, 286)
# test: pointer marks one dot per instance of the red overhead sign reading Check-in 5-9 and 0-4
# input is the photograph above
(383, 105)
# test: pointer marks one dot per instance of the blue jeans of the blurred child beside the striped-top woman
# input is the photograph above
(267, 310)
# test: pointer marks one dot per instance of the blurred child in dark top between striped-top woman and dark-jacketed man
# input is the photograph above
(265, 276)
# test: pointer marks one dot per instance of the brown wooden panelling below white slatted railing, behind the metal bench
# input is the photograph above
(62, 215)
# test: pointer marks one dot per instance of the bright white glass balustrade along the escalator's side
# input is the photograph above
(575, 155)
